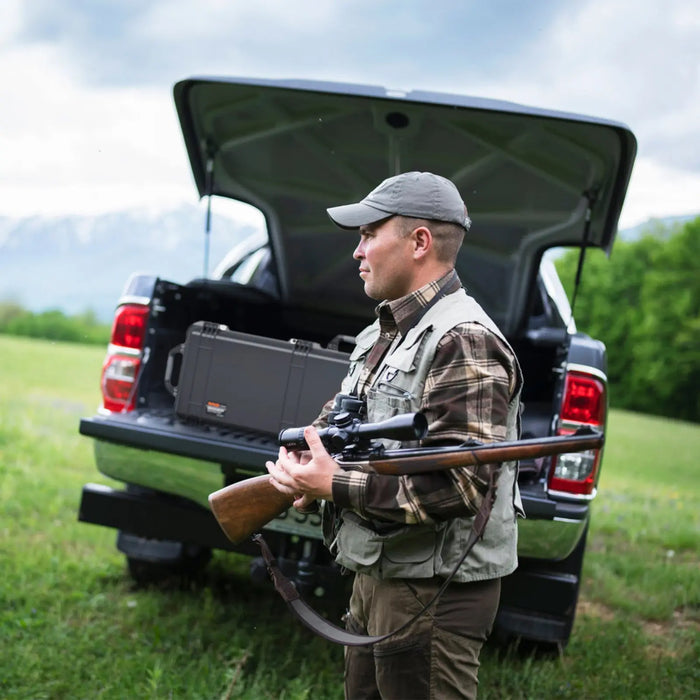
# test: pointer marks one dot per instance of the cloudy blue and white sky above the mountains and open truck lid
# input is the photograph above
(88, 125)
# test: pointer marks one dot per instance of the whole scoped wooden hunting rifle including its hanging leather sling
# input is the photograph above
(246, 506)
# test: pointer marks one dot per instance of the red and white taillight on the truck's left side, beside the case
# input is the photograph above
(123, 361)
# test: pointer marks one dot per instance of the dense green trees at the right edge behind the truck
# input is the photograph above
(644, 304)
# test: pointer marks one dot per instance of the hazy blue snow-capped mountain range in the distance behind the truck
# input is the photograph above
(80, 263)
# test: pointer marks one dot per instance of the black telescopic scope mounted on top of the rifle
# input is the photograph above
(348, 431)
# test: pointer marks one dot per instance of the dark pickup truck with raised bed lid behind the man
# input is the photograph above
(534, 181)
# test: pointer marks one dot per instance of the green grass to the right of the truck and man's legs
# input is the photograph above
(638, 622)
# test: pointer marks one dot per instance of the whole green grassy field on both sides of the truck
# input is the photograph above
(72, 625)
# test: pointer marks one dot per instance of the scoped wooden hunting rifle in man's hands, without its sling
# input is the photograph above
(244, 507)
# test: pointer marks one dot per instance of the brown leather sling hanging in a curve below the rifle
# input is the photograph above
(332, 633)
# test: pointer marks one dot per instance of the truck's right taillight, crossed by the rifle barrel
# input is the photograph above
(584, 404)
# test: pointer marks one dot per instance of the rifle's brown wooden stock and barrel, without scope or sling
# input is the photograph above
(243, 508)
